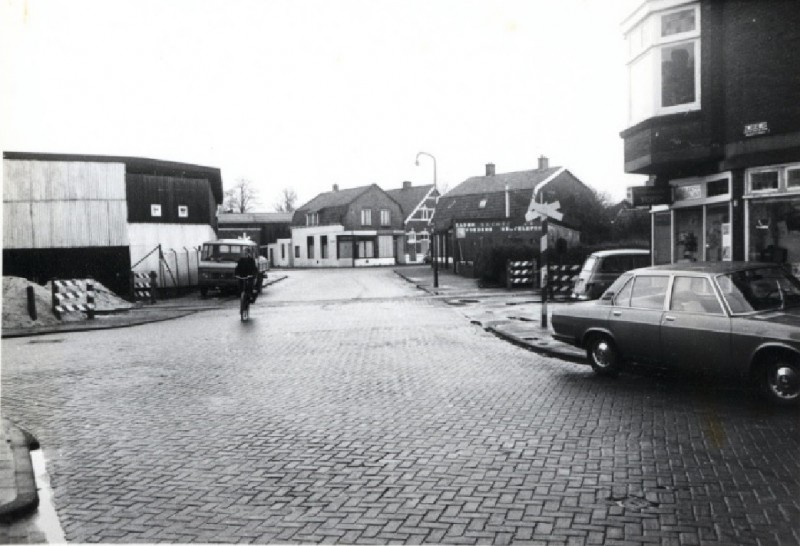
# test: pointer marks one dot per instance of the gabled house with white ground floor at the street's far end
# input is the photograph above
(347, 228)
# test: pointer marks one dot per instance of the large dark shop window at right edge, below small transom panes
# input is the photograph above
(774, 231)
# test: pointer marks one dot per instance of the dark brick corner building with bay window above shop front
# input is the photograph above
(714, 120)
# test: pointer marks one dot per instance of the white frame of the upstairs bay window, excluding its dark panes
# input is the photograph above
(647, 29)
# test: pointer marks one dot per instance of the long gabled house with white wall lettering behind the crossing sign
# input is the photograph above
(490, 210)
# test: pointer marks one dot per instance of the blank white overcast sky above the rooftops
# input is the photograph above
(304, 94)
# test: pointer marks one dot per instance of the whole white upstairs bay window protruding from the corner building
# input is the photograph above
(664, 60)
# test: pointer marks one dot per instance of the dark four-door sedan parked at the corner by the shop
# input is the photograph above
(736, 319)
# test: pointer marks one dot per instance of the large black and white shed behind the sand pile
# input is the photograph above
(71, 216)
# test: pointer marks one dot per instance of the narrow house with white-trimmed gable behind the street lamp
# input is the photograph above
(417, 204)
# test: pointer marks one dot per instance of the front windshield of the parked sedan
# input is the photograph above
(764, 289)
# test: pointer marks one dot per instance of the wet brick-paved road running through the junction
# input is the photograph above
(386, 420)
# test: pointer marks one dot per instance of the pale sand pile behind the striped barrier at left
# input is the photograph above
(15, 303)
